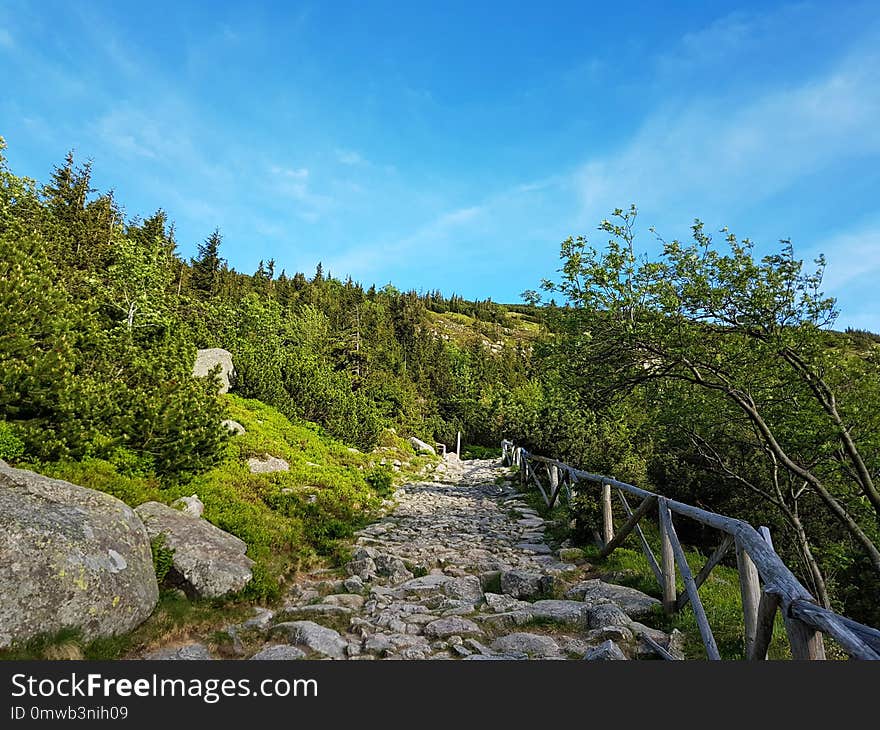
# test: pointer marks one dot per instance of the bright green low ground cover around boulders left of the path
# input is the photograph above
(289, 520)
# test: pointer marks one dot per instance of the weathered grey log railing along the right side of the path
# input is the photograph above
(766, 584)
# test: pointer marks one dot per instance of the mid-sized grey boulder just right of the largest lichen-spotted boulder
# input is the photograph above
(208, 562)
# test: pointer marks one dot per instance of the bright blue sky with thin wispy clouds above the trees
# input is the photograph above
(455, 145)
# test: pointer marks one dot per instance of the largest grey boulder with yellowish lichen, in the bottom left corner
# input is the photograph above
(69, 557)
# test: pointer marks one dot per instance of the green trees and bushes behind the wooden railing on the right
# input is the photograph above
(714, 377)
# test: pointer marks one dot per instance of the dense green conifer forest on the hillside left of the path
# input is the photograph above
(100, 319)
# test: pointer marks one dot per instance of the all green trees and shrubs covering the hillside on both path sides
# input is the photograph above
(707, 373)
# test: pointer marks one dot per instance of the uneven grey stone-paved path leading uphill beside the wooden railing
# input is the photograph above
(460, 569)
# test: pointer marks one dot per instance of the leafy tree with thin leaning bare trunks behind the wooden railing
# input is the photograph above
(751, 334)
